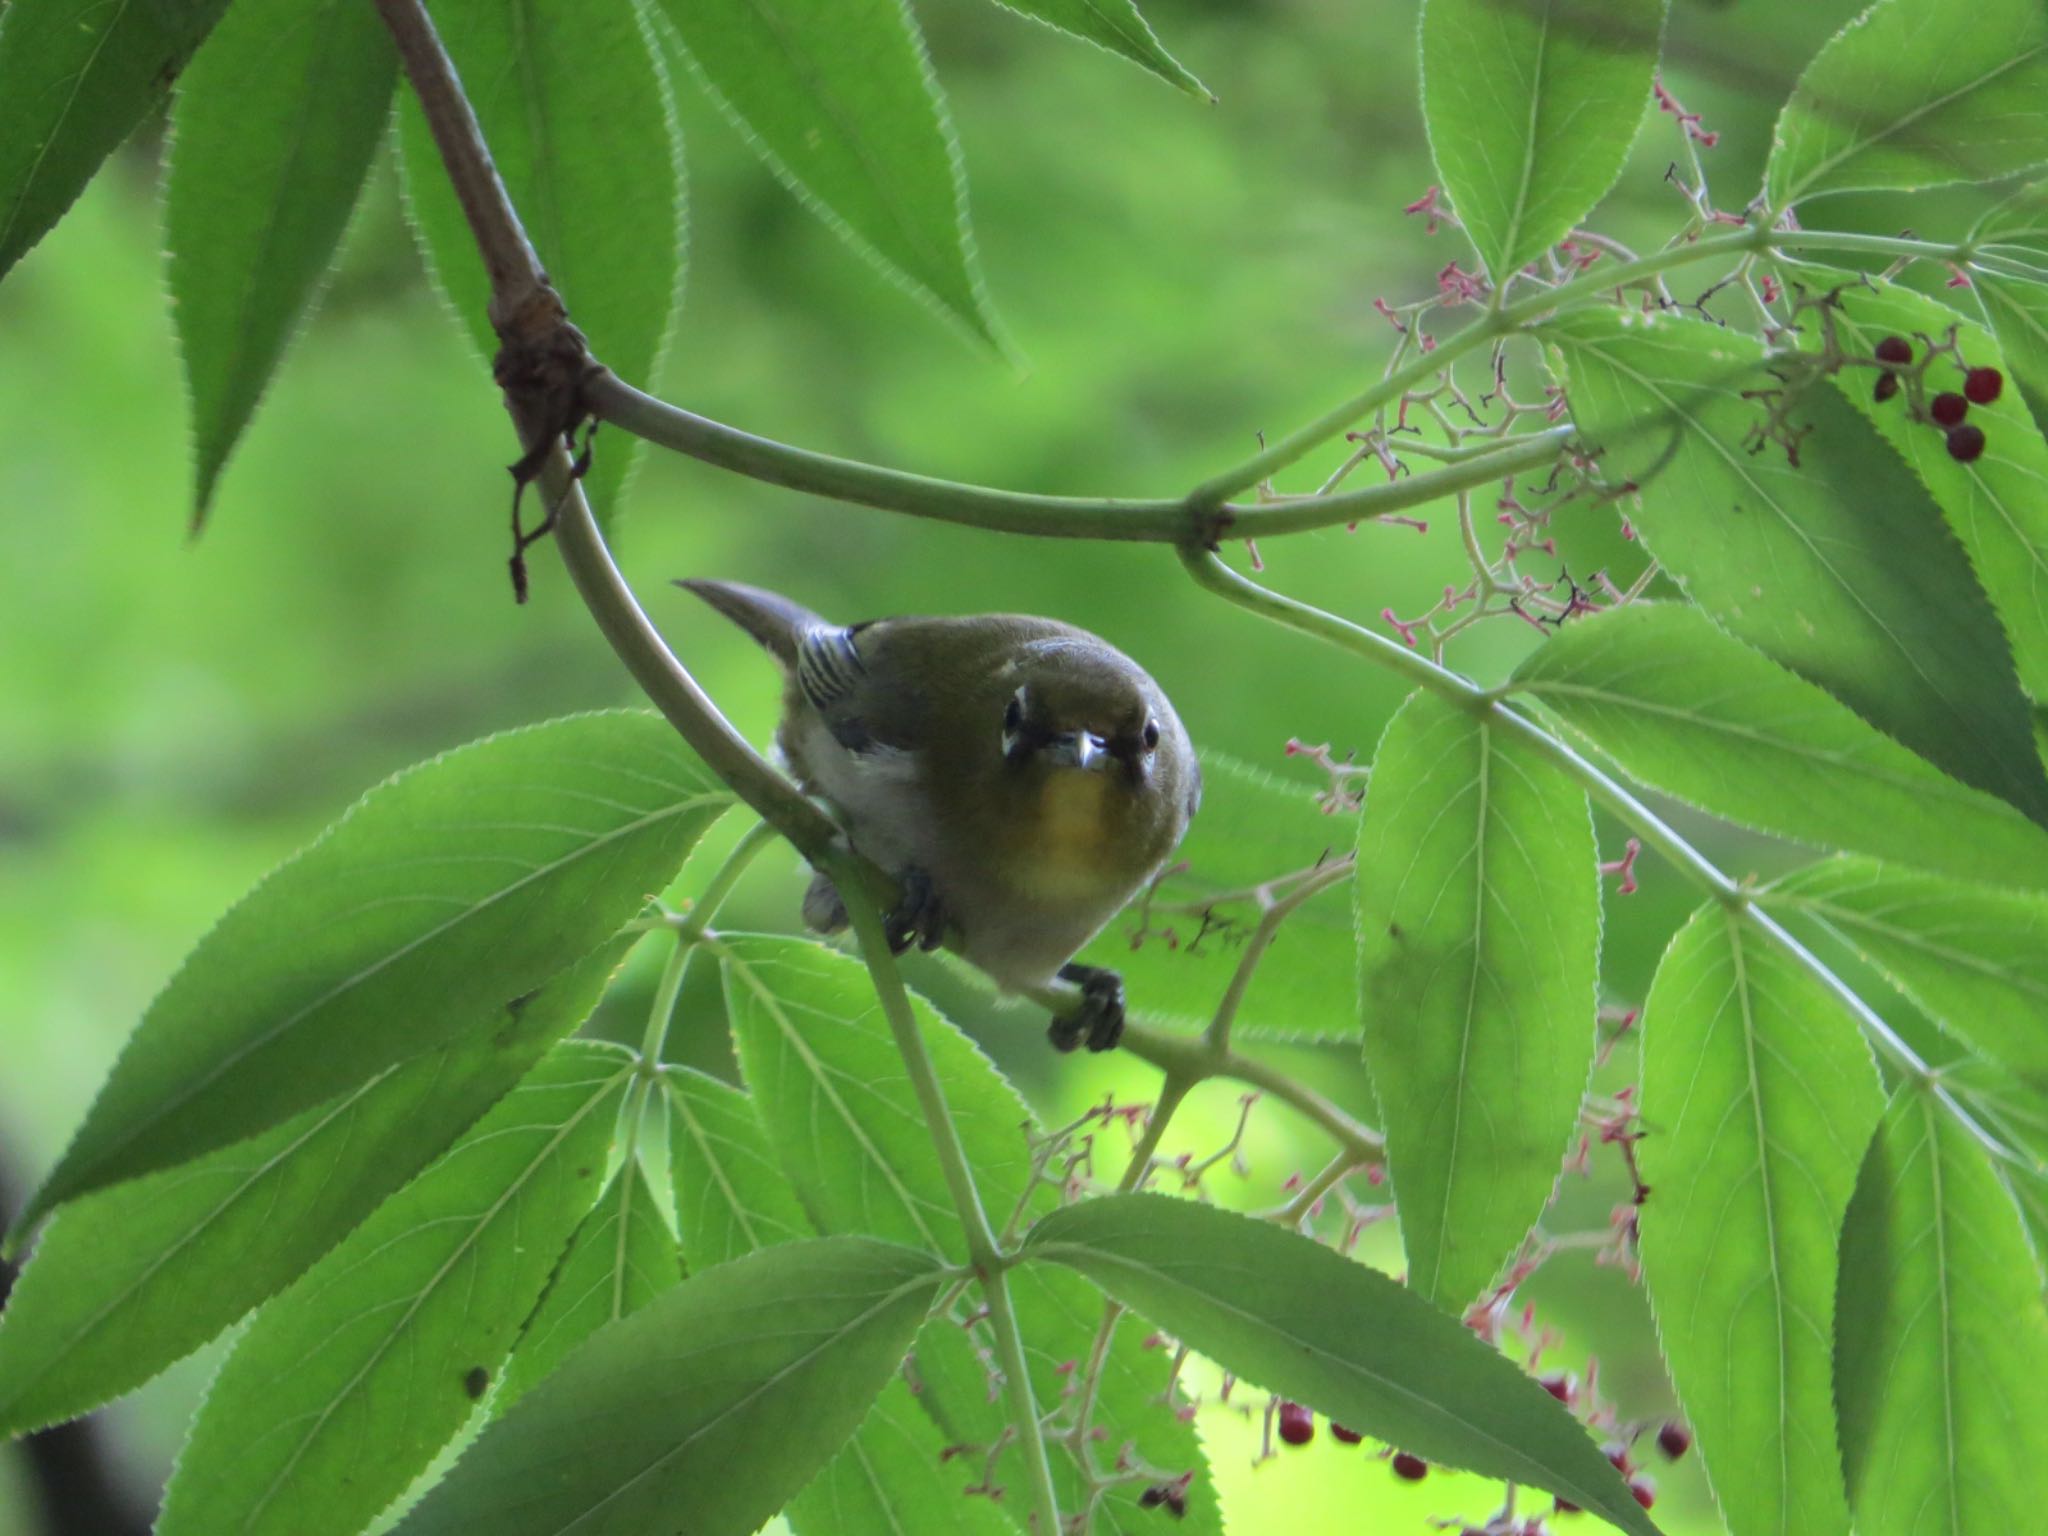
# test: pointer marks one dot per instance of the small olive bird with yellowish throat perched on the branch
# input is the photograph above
(1021, 777)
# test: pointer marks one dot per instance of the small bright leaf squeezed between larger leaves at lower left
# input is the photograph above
(620, 1261)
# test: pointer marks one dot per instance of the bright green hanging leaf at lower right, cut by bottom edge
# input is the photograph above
(1762, 1099)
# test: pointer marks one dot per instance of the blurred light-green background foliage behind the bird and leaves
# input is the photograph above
(177, 716)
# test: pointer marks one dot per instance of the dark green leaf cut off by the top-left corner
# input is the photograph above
(77, 77)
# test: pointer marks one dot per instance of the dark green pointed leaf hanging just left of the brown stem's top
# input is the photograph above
(271, 140)
